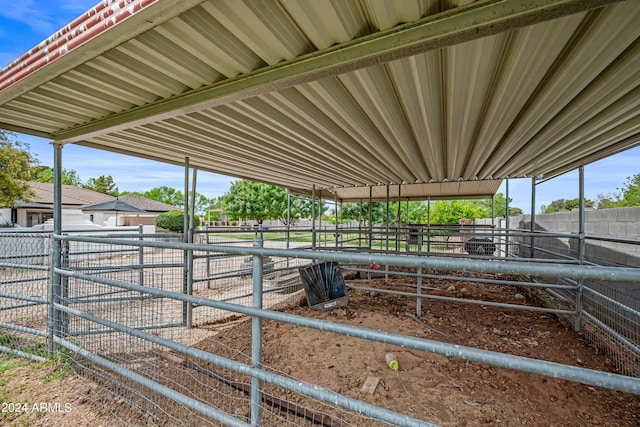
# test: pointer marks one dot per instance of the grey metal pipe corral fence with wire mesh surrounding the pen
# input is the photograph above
(104, 289)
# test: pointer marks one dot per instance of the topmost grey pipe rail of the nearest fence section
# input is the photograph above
(618, 274)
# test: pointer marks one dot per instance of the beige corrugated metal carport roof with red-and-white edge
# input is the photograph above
(445, 98)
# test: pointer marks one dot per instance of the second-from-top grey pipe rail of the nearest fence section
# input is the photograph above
(551, 369)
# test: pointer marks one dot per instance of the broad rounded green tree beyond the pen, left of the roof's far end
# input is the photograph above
(250, 200)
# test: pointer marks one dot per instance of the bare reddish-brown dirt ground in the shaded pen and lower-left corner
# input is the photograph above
(433, 388)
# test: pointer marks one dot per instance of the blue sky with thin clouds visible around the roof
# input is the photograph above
(24, 23)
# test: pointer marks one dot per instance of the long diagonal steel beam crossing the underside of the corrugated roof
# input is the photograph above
(453, 27)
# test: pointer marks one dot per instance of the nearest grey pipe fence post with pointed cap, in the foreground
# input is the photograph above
(256, 334)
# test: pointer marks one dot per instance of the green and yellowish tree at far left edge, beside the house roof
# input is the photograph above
(16, 167)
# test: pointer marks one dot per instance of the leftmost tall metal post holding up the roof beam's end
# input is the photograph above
(53, 322)
